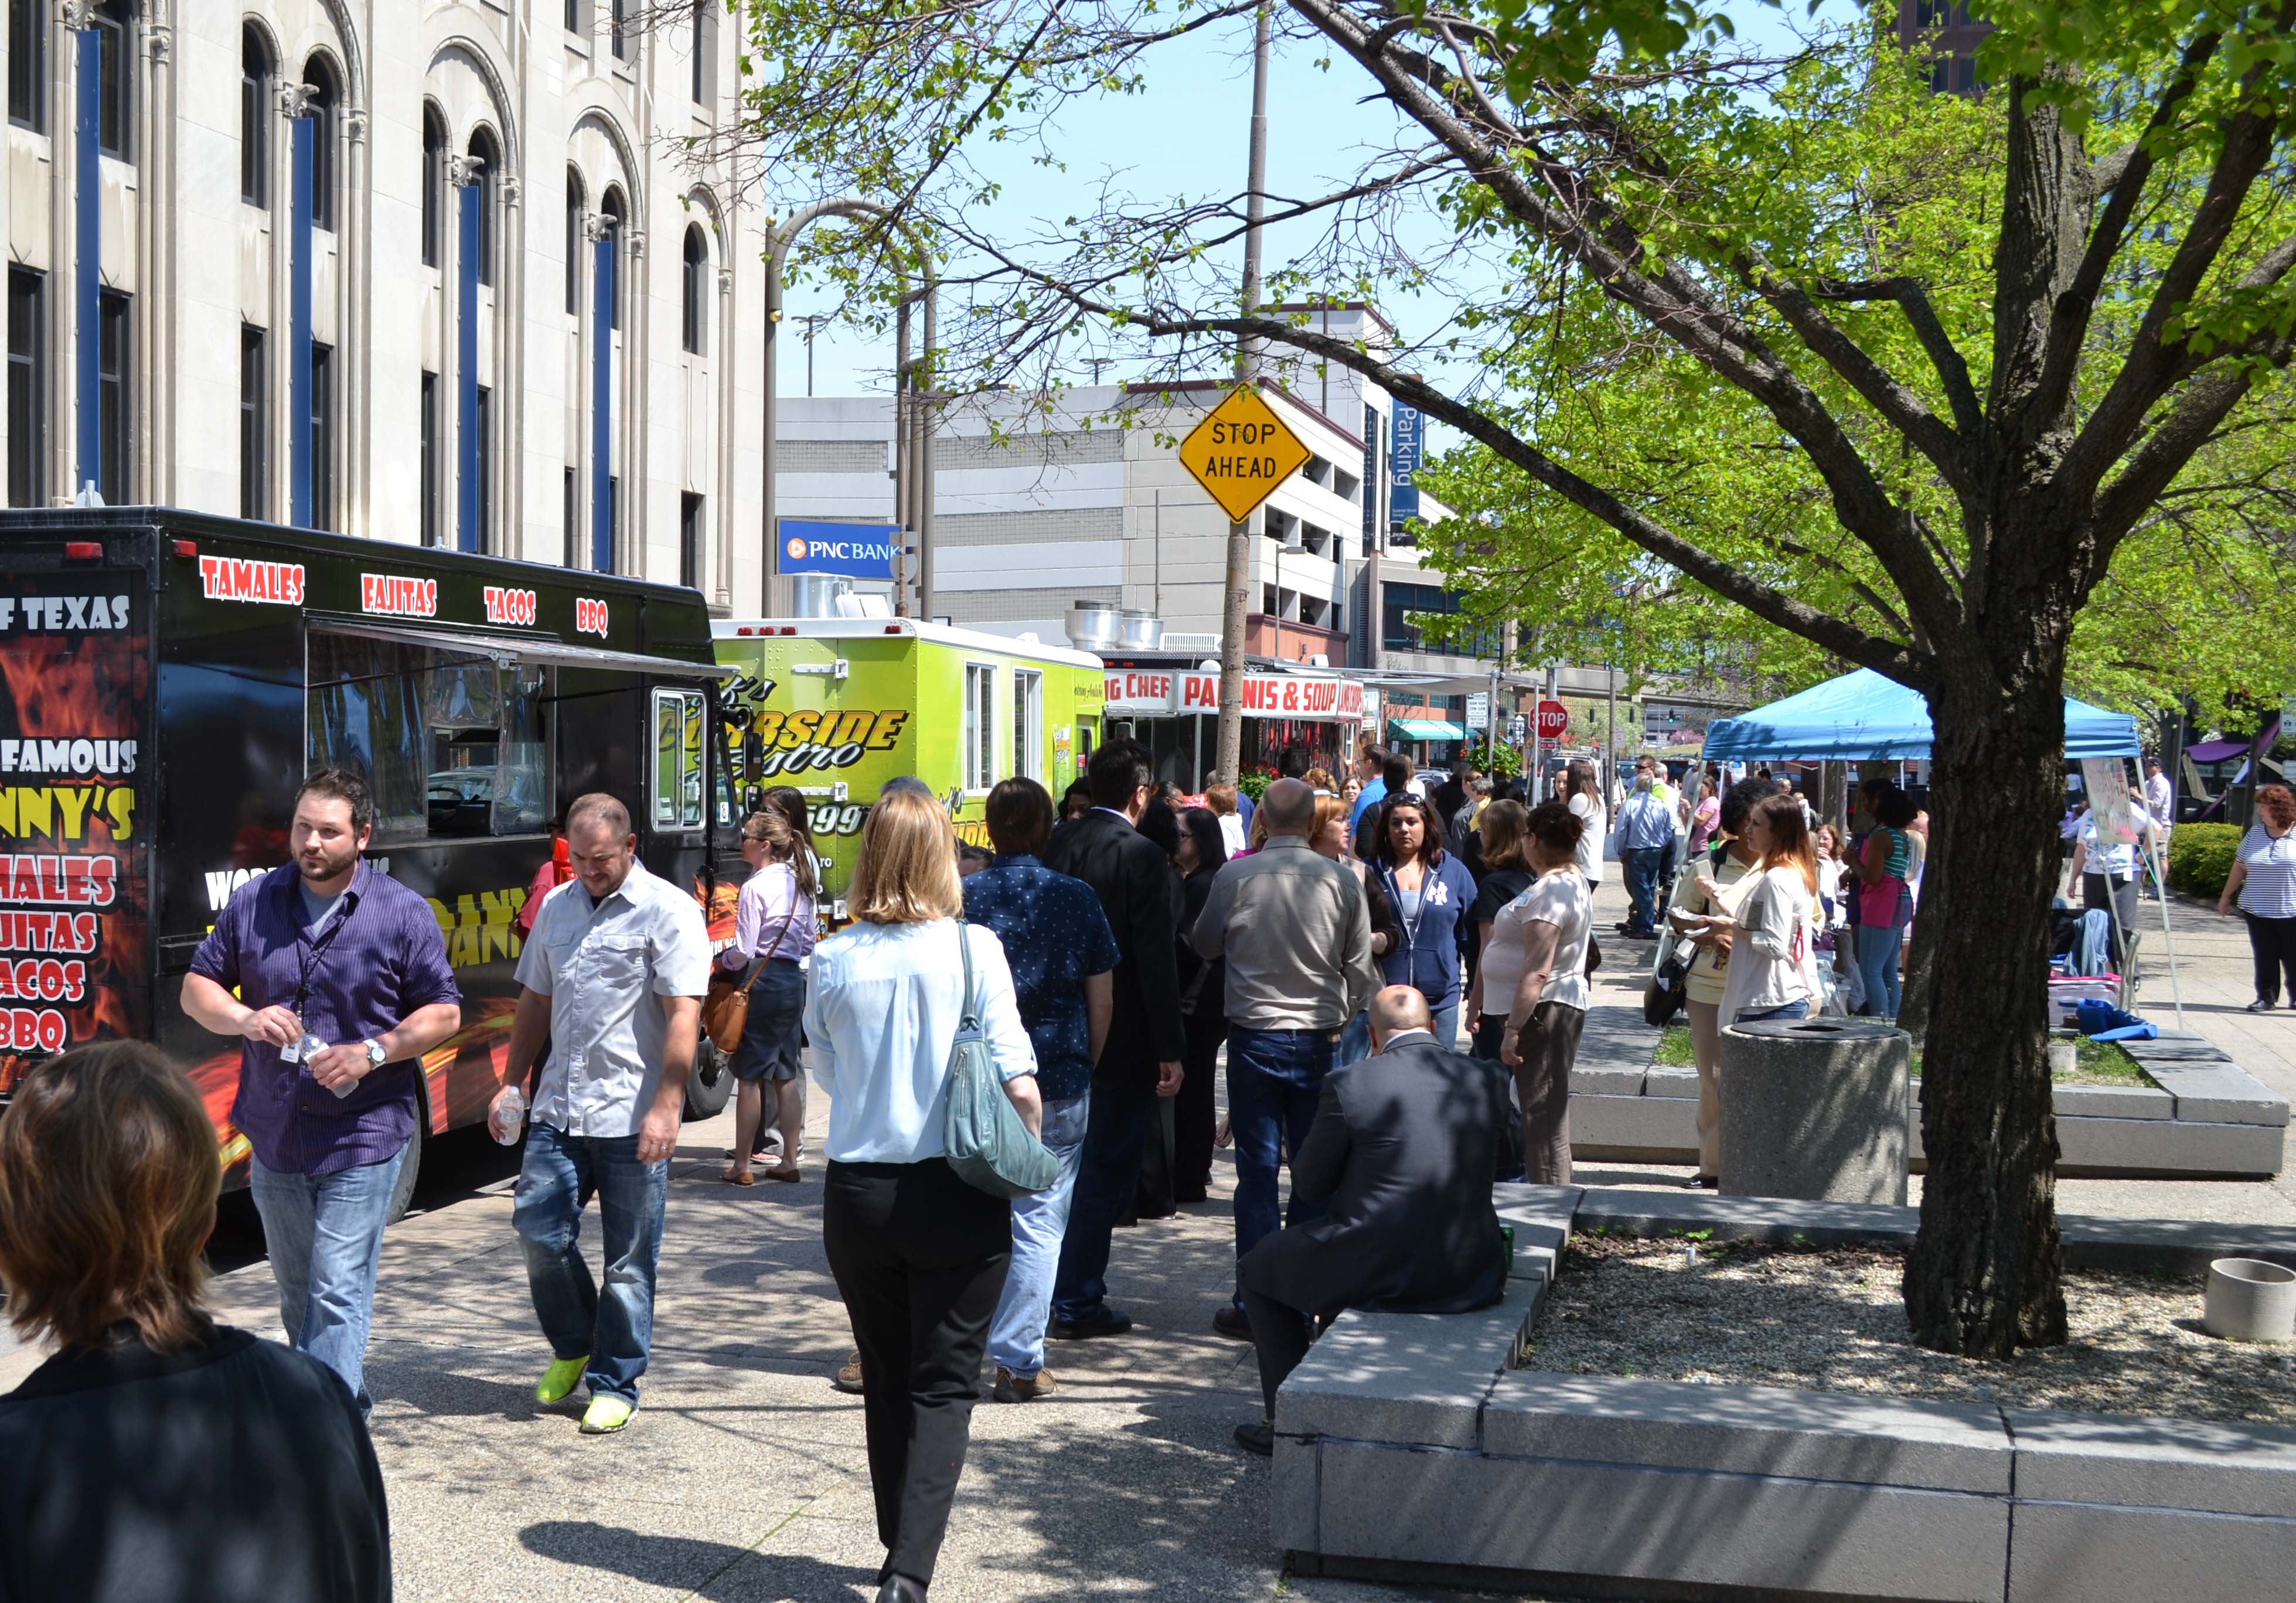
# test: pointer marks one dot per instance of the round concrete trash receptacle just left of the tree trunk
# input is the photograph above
(1815, 1110)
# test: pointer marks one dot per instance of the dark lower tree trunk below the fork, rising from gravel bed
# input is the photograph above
(1985, 1273)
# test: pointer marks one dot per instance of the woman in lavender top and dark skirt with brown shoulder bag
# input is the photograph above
(773, 936)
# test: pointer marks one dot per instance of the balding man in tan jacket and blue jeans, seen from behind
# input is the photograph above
(1298, 943)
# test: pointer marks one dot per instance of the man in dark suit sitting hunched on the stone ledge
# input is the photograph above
(1402, 1149)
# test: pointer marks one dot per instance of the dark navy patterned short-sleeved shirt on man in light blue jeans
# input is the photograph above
(1055, 938)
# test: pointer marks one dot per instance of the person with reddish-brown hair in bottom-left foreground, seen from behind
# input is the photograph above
(157, 1455)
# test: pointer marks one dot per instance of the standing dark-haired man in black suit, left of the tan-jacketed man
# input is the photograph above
(1147, 1039)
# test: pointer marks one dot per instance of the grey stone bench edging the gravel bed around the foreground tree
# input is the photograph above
(1411, 1448)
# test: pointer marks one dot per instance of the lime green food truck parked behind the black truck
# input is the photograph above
(839, 706)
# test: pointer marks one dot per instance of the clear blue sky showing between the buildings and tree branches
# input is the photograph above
(1184, 137)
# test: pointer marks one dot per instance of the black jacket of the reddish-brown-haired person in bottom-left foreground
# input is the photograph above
(235, 1471)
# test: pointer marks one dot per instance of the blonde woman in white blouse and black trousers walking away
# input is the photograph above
(917, 1253)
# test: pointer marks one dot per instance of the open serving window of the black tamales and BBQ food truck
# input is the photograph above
(451, 743)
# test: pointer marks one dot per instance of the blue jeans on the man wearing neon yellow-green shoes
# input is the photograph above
(612, 1326)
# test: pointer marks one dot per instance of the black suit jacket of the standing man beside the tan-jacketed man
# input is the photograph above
(1142, 899)
